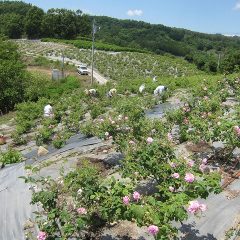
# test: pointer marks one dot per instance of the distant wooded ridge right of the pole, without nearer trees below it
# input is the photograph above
(159, 38)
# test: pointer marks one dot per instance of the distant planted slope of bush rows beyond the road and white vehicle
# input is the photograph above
(115, 65)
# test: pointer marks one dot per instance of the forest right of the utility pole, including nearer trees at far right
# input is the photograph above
(204, 50)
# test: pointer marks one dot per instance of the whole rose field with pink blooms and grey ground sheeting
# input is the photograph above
(131, 166)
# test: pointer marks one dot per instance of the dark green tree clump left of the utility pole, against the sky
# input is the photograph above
(19, 19)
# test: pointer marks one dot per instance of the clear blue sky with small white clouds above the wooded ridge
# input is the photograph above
(209, 16)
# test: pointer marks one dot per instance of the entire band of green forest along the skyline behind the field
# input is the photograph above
(209, 52)
